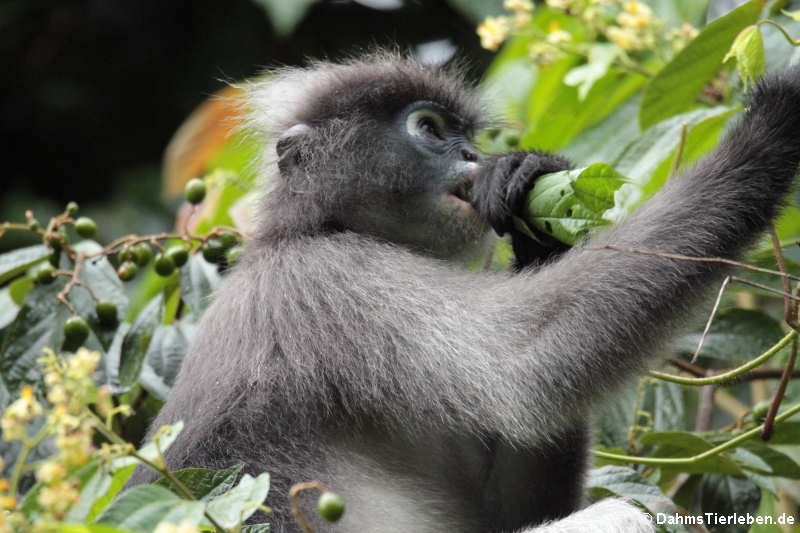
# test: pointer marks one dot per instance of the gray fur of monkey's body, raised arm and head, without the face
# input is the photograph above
(435, 399)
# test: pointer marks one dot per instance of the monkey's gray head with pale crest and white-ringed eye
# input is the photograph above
(381, 145)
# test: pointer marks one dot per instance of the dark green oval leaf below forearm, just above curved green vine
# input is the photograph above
(735, 335)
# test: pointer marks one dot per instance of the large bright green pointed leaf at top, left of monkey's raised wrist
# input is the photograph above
(675, 88)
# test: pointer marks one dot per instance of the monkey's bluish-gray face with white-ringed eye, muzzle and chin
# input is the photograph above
(427, 207)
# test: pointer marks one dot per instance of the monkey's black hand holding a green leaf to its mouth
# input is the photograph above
(499, 193)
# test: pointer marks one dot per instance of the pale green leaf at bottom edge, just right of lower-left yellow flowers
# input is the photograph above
(143, 507)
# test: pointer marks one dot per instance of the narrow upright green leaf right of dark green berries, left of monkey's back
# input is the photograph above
(136, 341)
